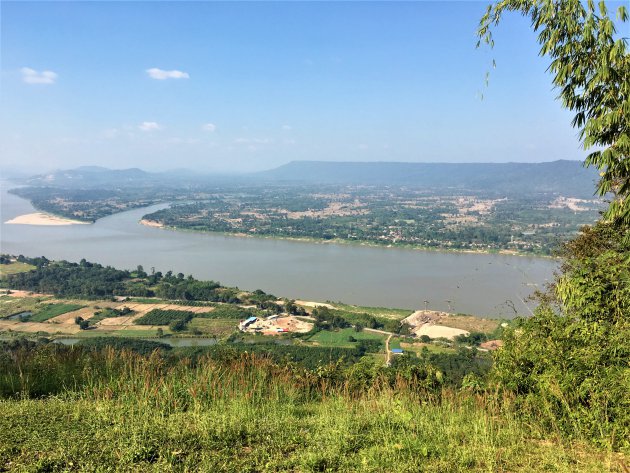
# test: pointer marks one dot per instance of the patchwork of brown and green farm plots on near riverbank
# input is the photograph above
(54, 317)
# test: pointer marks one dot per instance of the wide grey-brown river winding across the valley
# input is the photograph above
(480, 284)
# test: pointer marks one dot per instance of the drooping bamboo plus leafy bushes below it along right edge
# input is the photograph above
(569, 362)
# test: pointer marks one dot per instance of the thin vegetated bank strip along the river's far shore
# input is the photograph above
(341, 241)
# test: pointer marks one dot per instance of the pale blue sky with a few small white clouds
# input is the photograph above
(247, 86)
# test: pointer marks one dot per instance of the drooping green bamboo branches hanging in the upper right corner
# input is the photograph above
(591, 69)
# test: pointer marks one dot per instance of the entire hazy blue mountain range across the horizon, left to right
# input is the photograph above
(563, 177)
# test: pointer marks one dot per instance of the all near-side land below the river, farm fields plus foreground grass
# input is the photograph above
(336, 398)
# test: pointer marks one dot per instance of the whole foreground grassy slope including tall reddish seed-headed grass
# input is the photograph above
(134, 414)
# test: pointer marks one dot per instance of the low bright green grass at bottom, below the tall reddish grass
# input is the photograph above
(381, 433)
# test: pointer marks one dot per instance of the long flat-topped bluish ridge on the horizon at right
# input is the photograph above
(561, 177)
